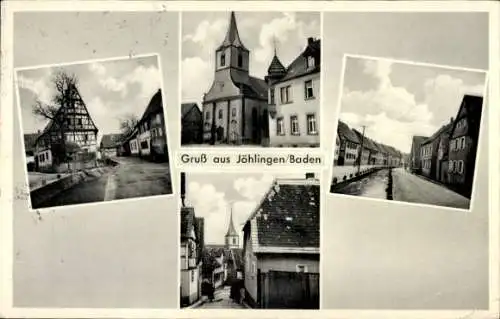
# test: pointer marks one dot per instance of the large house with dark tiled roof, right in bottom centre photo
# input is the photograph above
(272, 247)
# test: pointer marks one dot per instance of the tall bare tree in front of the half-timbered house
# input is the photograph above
(65, 85)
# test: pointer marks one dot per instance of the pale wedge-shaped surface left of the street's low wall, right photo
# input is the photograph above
(373, 186)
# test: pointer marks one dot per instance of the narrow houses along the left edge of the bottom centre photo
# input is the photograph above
(191, 247)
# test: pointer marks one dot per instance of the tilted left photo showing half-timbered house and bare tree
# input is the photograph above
(94, 131)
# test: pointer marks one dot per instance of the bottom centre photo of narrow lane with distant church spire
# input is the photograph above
(249, 240)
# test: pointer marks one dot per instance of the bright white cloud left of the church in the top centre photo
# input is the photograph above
(195, 72)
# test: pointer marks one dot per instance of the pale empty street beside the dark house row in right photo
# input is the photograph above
(412, 188)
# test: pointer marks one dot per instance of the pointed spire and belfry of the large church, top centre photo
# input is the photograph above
(232, 53)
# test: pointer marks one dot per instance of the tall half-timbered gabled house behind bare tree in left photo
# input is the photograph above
(70, 133)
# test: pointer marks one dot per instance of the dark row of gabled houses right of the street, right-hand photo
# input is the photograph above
(449, 155)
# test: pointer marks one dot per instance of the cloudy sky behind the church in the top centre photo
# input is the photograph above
(203, 32)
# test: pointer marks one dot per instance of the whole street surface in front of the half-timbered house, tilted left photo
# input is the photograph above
(133, 177)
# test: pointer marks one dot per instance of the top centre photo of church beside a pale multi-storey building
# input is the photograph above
(250, 79)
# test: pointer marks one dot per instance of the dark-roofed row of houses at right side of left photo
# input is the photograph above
(148, 139)
